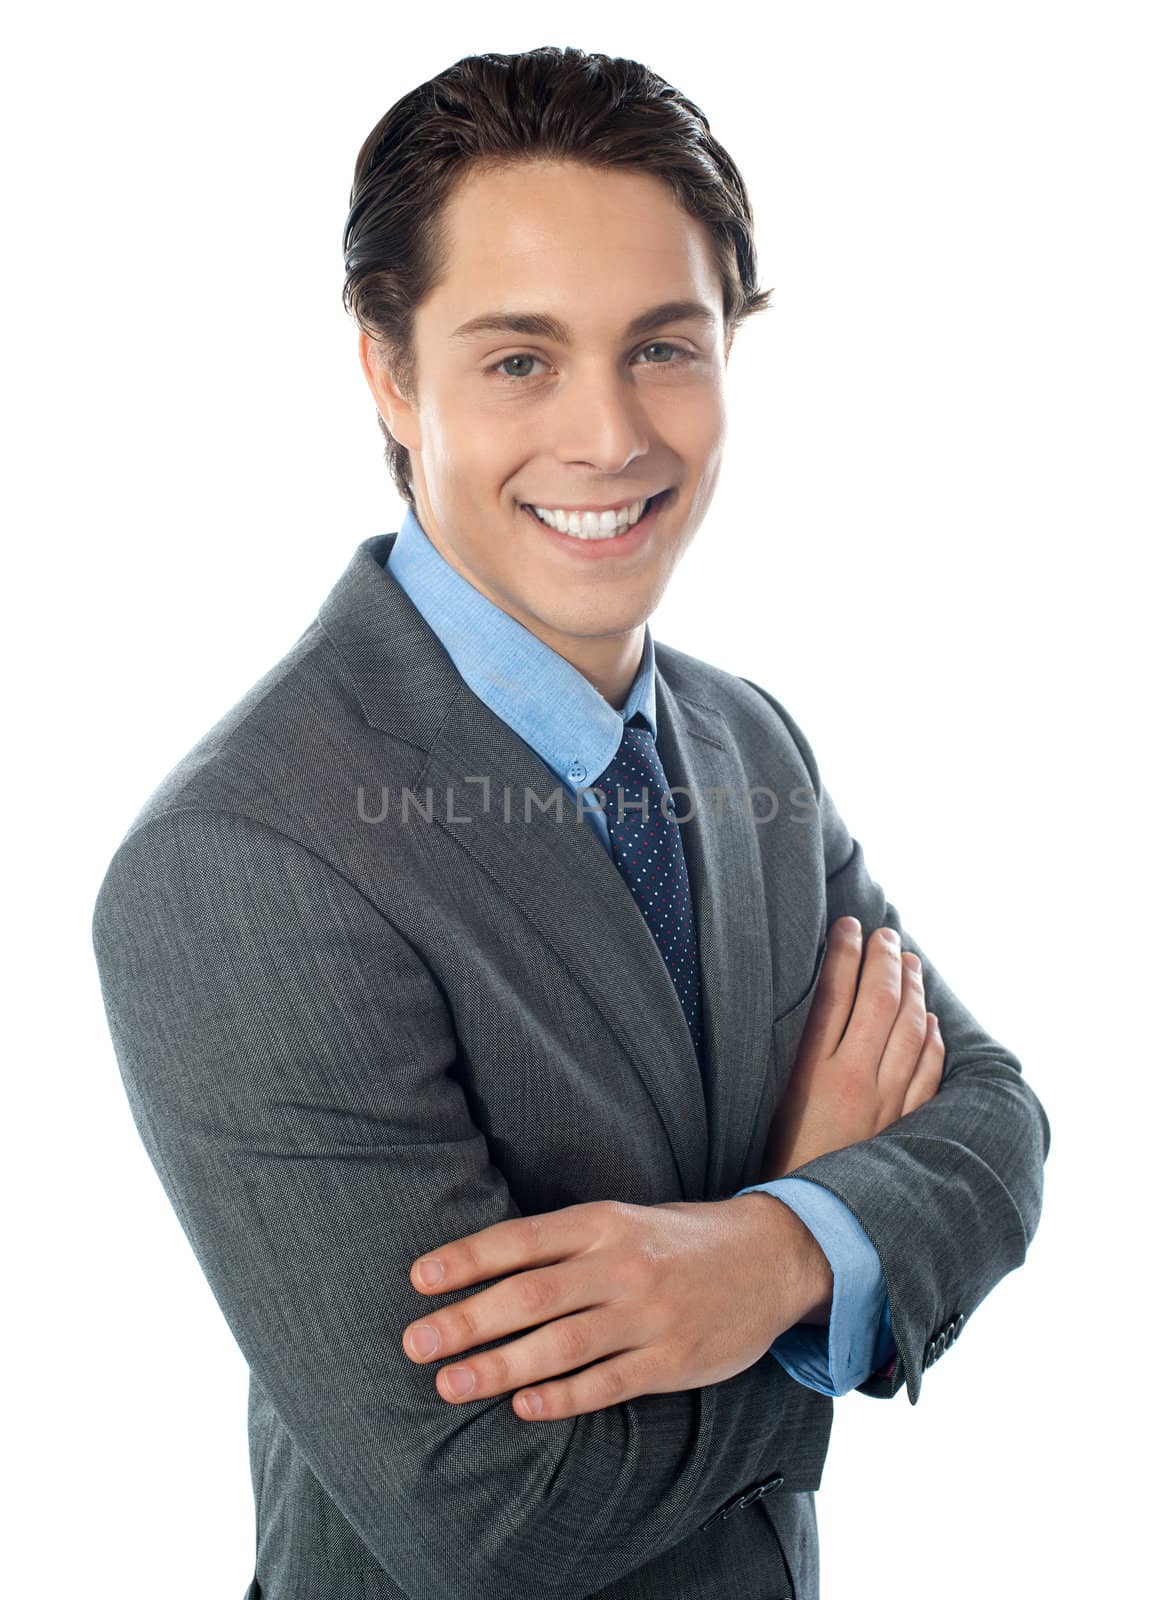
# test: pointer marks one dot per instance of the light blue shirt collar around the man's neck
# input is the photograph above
(548, 702)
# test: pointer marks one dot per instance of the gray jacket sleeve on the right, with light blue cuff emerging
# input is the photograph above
(950, 1194)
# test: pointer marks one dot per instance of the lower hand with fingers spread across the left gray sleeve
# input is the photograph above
(644, 1300)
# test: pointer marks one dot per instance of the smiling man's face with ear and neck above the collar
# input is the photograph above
(588, 417)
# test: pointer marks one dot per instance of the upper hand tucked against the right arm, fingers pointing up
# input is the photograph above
(868, 1057)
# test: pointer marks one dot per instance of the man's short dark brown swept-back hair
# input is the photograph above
(490, 111)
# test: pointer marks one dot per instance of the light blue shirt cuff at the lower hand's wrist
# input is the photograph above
(849, 1350)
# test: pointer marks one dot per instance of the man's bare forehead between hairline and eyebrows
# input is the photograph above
(583, 242)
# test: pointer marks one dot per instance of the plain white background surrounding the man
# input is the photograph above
(937, 540)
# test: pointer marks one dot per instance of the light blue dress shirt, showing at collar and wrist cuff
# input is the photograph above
(577, 734)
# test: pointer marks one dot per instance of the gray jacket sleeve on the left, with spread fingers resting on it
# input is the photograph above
(294, 1071)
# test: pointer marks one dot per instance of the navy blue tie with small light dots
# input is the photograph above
(647, 847)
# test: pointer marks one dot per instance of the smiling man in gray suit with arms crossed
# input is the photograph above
(418, 962)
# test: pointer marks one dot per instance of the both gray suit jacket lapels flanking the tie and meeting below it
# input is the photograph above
(492, 794)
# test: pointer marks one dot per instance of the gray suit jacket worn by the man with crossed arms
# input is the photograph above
(350, 1038)
